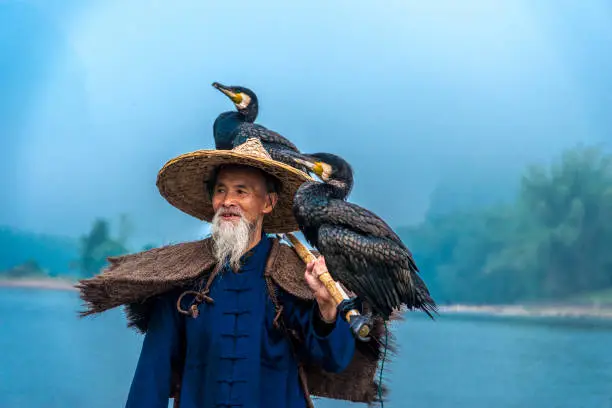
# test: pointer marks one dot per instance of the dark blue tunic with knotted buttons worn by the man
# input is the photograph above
(234, 355)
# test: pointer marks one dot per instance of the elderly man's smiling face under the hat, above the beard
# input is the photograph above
(241, 191)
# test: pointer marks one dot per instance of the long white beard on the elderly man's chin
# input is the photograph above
(230, 241)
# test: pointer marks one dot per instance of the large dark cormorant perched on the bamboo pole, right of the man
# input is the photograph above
(359, 248)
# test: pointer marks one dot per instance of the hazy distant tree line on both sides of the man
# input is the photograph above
(551, 241)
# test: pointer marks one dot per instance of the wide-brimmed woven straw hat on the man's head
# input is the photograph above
(182, 182)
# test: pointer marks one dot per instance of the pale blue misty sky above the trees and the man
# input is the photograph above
(95, 96)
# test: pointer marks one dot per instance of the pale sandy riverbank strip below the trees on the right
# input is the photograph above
(557, 310)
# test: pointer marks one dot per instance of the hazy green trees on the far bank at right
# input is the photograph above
(553, 241)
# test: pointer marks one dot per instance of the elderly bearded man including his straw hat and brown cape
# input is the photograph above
(237, 319)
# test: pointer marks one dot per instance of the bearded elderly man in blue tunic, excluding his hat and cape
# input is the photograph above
(234, 355)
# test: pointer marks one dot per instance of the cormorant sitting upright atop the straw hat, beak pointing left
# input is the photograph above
(235, 127)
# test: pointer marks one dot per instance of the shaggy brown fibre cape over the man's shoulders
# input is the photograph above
(133, 280)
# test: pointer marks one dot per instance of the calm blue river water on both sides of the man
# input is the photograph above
(49, 358)
